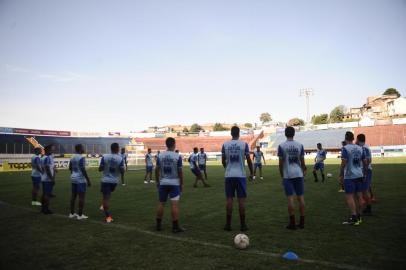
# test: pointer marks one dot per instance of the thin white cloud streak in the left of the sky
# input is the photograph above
(54, 77)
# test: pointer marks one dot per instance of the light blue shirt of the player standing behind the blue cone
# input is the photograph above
(291, 153)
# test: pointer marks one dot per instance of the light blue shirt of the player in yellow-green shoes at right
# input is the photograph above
(354, 155)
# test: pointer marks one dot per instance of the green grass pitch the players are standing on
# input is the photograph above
(30, 240)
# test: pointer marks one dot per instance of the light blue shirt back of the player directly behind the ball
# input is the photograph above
(235, 152)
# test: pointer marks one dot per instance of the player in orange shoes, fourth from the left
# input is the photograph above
(112, 166)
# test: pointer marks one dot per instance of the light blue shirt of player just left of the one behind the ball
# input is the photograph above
(169, 164)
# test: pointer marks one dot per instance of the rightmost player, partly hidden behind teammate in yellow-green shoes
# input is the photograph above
(366, 185)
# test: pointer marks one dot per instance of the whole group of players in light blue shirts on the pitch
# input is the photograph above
(355, 175)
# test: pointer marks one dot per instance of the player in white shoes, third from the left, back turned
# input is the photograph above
(79, 179)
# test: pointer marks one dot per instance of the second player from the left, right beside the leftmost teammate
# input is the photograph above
(47, 178)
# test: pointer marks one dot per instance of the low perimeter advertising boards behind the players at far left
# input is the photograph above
(20, 166)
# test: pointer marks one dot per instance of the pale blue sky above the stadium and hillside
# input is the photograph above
(127, 65)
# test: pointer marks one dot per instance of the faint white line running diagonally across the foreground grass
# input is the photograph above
(196, 242)
